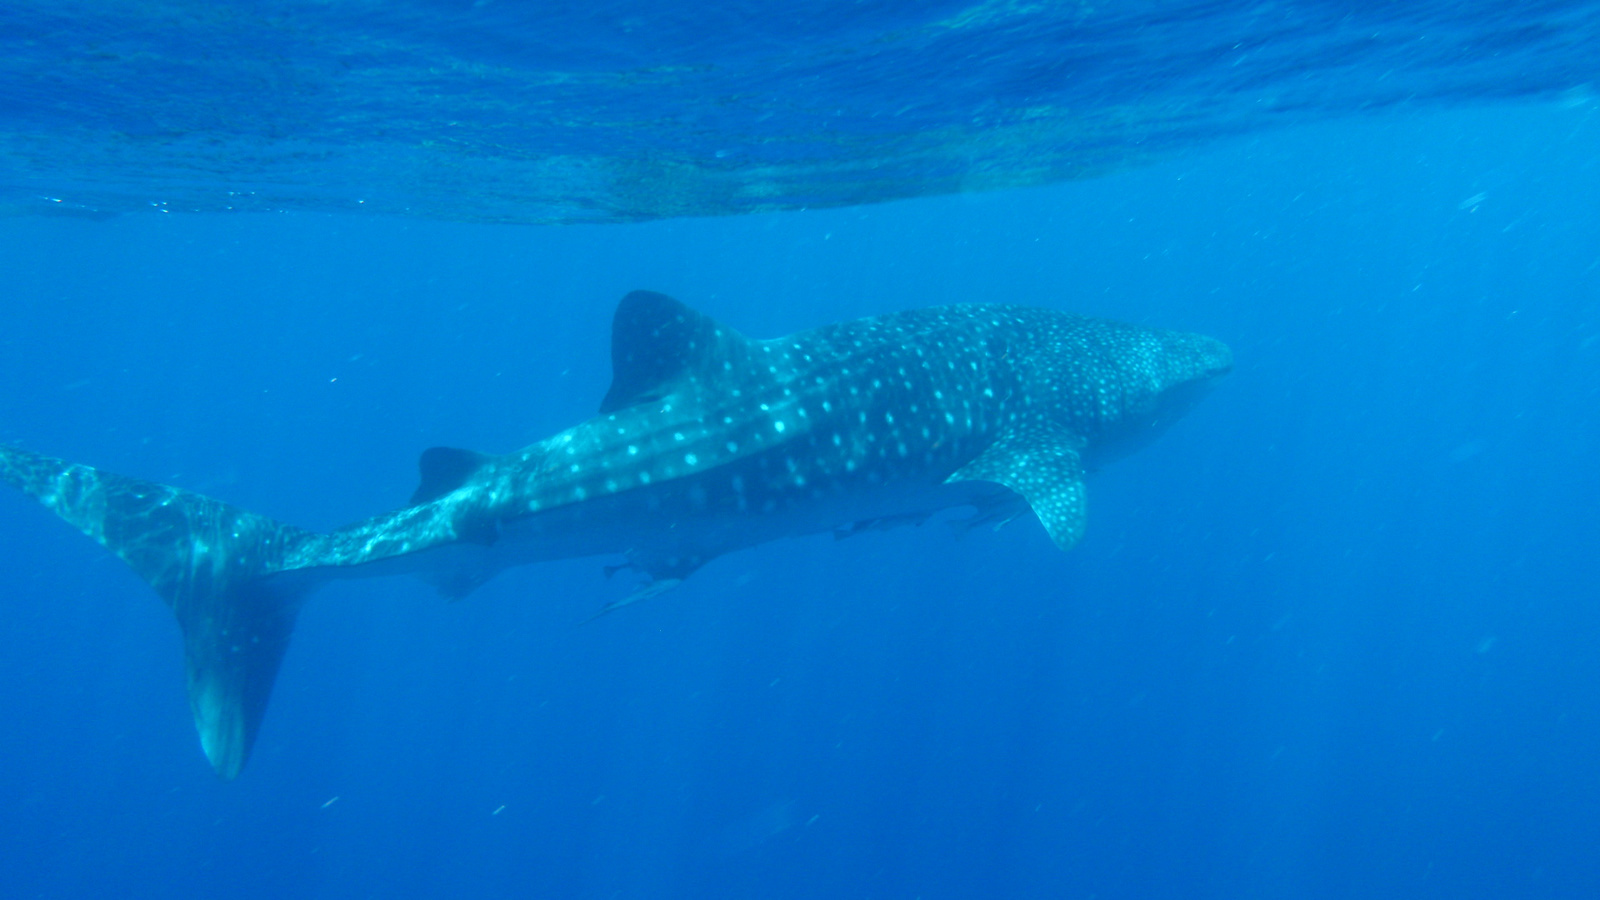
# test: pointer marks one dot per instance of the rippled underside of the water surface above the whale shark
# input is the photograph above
(625, 111)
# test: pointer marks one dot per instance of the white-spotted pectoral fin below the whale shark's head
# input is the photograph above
(1047, 470)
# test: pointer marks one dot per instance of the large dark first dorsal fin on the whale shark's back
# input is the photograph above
(657, 342)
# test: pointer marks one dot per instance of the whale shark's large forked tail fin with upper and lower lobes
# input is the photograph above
(226, 574)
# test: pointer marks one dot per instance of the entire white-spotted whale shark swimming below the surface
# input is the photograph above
(706, 443)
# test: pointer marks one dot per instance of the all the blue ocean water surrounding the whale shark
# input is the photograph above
(1335, 635)
